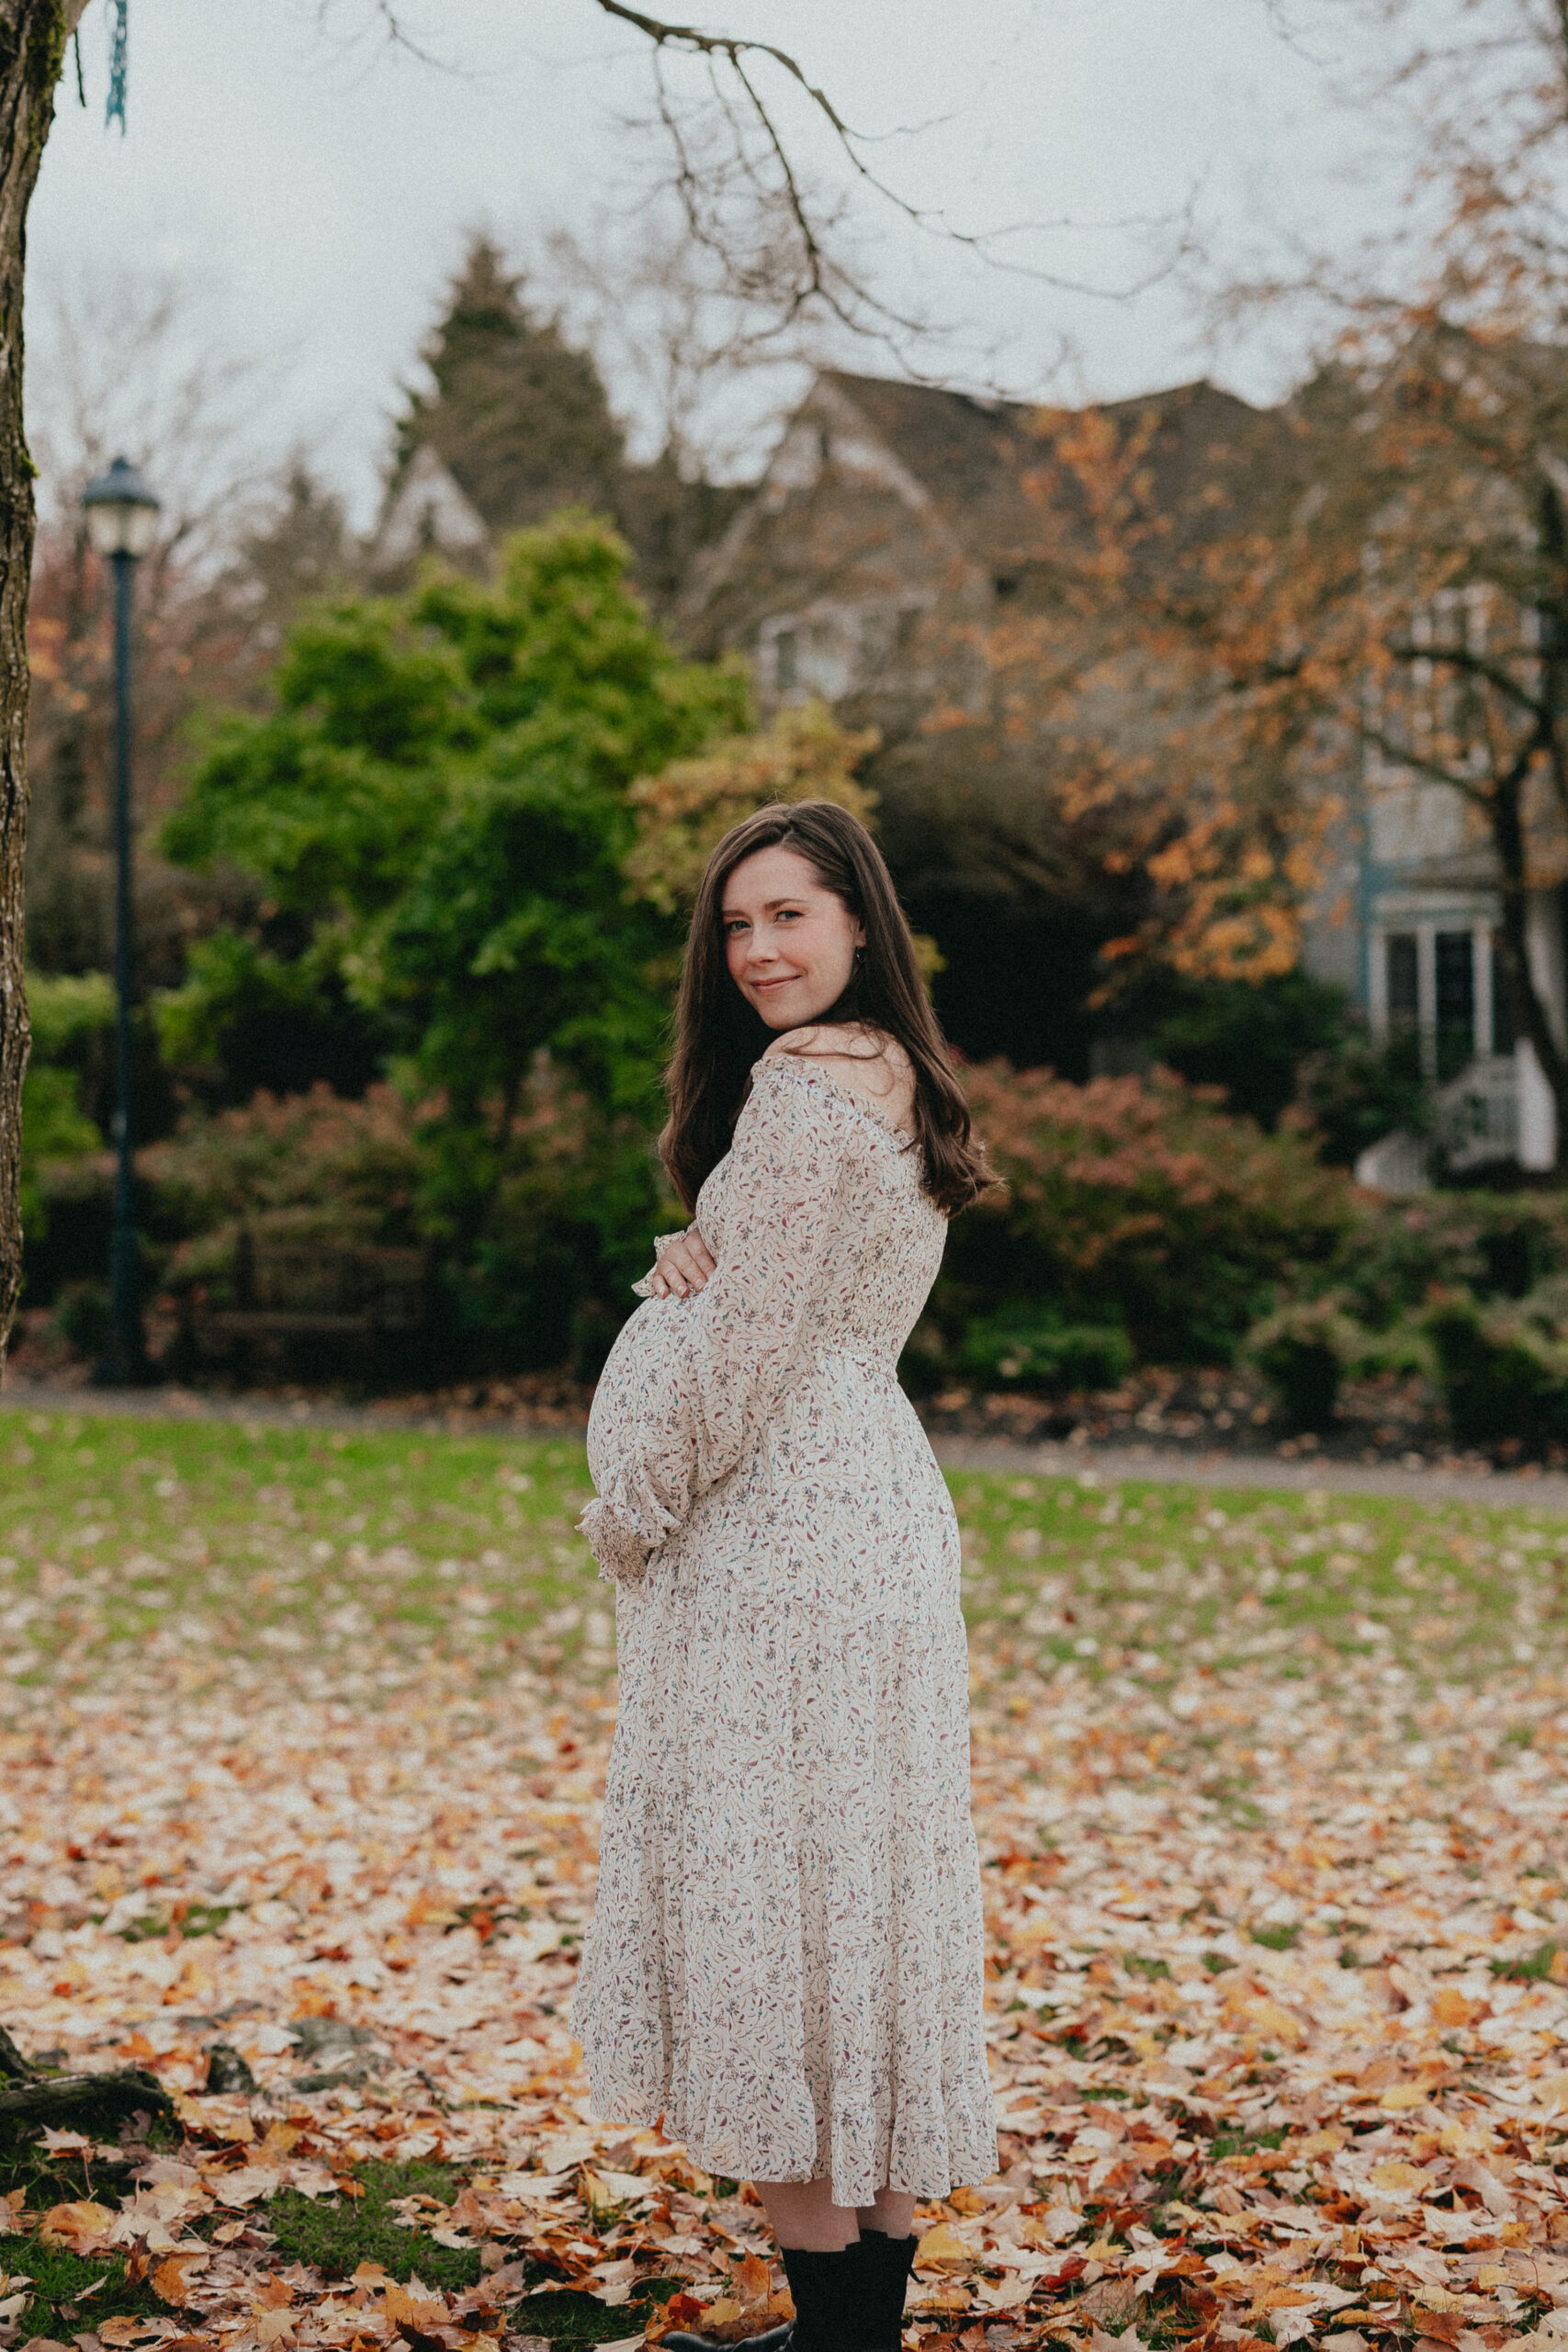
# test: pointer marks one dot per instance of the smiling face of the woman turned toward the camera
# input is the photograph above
(789, 942)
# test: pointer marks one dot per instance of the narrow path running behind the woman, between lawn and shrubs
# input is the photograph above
(1546, 1490)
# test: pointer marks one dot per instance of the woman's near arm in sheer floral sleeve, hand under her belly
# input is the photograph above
(735, 1344)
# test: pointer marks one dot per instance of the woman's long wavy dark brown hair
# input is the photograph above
(718, 1036)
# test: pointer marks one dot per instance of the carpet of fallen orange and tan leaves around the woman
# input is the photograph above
(1278, 2007)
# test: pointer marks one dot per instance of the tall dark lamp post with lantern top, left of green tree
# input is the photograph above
(121, 526)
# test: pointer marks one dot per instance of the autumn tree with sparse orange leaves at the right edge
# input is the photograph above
(1242, 629)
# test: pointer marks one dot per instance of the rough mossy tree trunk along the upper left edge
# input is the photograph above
(32, 55)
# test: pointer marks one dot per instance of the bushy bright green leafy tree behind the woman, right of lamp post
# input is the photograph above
(436, 815)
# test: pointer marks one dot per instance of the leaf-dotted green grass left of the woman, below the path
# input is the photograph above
(293, 1549)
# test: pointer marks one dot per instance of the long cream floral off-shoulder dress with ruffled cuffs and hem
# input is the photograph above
(786, 1958)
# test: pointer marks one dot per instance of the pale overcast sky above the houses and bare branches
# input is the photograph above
(319, 185)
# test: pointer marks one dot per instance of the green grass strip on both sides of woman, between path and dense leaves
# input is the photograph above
(354, 1556)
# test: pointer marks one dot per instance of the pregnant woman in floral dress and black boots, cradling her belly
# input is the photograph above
(786, 1951)
